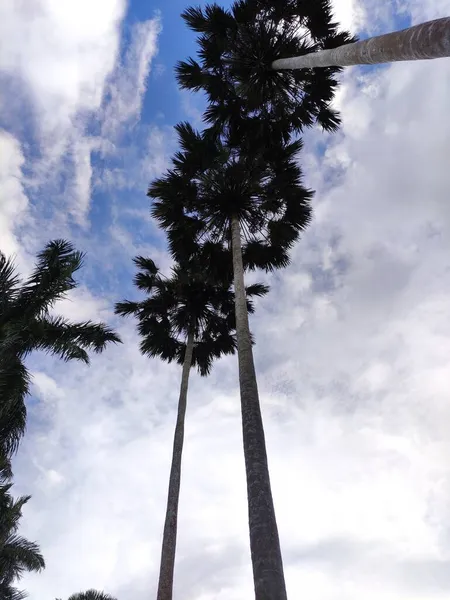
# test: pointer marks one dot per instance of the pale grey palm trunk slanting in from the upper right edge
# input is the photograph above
(428, 40)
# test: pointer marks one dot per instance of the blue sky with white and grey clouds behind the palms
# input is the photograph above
(352, 342)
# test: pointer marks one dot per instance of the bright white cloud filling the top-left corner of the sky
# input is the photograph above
(63, 52)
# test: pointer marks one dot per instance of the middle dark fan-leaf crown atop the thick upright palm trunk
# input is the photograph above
(210, 183)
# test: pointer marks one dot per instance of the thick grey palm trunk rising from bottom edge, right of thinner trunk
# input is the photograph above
(267, 562)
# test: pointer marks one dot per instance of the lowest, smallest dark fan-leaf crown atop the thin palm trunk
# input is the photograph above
(188, 300)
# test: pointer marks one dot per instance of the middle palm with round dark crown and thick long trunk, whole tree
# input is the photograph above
(256, 207)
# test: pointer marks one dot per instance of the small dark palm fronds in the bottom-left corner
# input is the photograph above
(17, 555)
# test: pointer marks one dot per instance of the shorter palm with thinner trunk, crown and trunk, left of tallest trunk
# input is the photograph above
(187, 318)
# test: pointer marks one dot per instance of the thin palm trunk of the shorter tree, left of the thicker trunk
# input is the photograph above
(165, 584)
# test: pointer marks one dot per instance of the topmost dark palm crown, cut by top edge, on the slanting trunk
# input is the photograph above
(236, 50)
